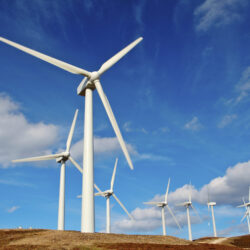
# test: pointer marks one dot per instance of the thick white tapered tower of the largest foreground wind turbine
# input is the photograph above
(88, 207)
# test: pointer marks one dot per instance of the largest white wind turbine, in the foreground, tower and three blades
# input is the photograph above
(90, 82)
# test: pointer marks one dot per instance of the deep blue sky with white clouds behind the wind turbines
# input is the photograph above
(181, 99)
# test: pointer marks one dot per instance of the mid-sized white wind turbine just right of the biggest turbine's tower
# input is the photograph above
(107, 194)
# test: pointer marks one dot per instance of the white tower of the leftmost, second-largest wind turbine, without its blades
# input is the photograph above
(61, 205)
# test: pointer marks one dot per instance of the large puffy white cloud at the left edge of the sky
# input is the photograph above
(19, 137)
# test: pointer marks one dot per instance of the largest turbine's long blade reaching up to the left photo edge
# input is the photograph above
(63, 65)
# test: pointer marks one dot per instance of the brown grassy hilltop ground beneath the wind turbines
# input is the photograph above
(54, 239)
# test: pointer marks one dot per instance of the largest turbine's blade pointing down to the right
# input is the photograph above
(113, 121)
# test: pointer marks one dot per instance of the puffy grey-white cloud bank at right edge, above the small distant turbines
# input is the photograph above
(226, 190)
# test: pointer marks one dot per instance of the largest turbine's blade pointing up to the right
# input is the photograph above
(118, 56)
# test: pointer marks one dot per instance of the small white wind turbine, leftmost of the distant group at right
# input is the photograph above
(162, 205)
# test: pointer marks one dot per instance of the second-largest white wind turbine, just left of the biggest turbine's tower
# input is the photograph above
(60, 158)
